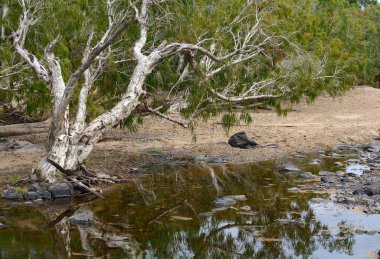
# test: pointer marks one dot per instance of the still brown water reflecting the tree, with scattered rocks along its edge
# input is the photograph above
(173, 212)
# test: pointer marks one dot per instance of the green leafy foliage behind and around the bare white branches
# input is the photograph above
(344, 34)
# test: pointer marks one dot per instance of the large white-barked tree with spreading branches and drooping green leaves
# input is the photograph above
(209, 55)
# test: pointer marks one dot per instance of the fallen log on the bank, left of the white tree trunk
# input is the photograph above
(24, 128)
